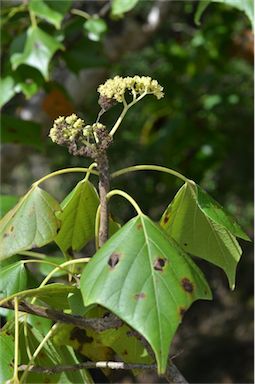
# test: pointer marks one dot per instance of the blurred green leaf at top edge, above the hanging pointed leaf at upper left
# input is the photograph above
(42, 10)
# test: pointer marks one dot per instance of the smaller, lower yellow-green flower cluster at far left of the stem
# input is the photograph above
(66, 129)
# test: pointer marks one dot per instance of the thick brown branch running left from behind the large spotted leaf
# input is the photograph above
(98, 324)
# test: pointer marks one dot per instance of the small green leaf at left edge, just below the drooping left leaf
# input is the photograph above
(13, 278)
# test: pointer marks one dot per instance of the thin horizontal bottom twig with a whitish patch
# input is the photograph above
(87, 364)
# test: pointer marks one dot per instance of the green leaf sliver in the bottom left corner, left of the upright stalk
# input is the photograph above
(7, 354)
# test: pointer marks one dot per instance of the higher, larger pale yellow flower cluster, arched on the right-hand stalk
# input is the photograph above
(115, 88)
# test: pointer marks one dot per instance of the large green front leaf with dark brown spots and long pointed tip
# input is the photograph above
(145, 279)
